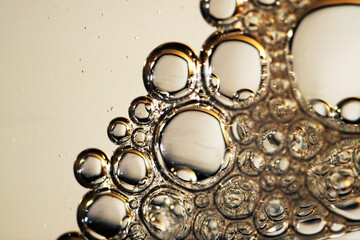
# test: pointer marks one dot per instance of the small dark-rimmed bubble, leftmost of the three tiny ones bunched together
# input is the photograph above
(119, 130)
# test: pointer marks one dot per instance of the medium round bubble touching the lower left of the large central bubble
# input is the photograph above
(130, 170)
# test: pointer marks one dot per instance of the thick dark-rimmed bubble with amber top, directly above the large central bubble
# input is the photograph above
(170, 71)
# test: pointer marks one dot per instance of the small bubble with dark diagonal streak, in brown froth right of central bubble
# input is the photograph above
(271, 139)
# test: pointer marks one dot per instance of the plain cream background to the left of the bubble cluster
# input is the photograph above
(66, 69)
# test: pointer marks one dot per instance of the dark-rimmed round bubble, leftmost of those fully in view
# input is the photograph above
(91, 167)
